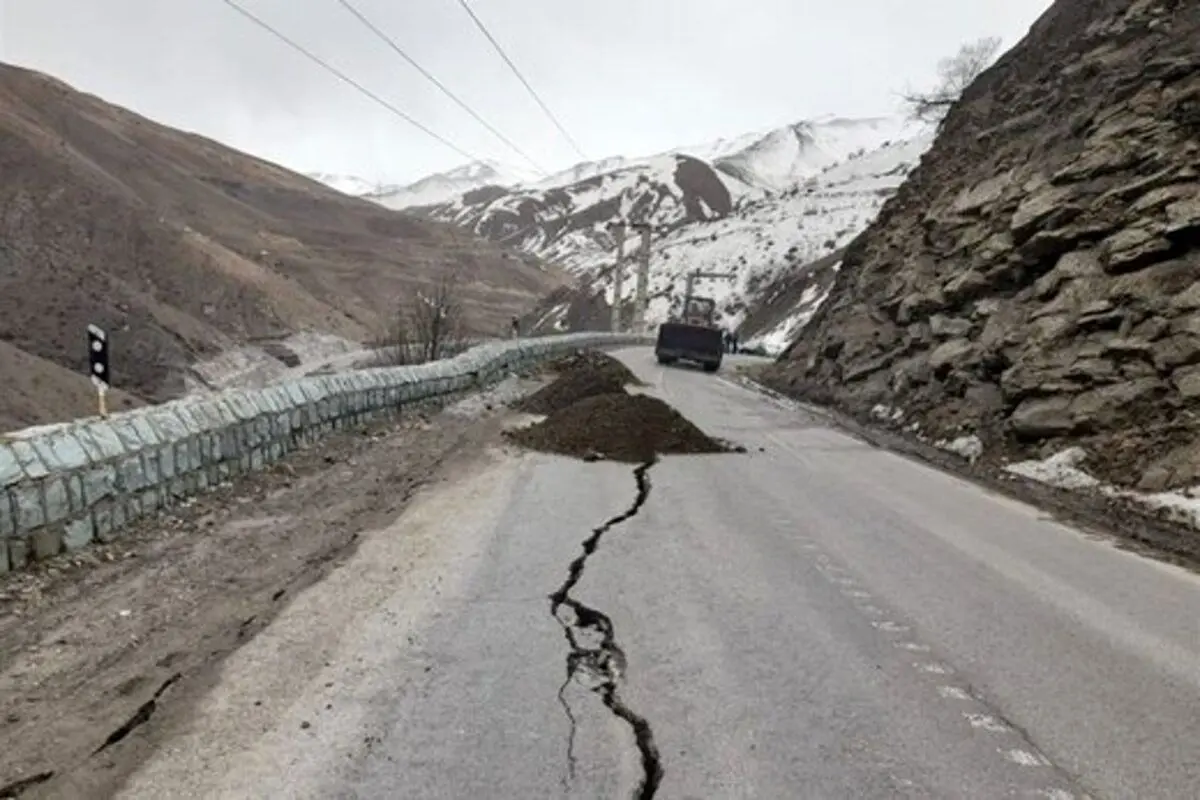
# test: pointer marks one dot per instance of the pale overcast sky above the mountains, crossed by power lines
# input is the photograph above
(626, 77)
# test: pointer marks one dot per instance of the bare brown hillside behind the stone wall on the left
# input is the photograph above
(182, 248)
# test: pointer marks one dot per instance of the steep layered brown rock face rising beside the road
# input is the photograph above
(1037, 279)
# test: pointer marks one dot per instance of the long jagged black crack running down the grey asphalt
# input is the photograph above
(596, 660)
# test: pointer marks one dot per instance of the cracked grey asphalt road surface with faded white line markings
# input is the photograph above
(814, 618)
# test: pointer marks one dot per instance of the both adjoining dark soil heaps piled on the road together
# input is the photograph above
(592, 417)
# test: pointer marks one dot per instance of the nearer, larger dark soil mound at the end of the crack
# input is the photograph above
(617, 426)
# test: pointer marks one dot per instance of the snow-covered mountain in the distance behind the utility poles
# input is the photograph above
(765, 207)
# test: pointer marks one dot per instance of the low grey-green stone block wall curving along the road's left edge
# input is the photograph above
(63, 488)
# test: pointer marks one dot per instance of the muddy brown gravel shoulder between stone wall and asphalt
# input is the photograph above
(104, 654)
